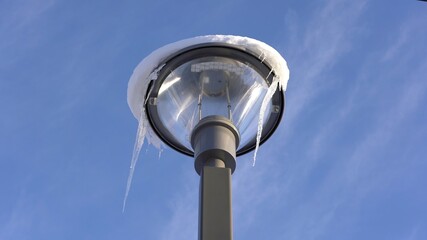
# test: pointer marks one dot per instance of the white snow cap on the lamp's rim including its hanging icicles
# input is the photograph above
(149, 67)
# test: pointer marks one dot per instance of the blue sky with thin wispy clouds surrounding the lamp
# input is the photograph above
(347, 162)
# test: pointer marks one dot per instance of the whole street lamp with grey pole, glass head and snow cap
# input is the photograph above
(203, 98)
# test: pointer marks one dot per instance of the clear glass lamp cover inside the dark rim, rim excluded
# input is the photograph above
(212, 86)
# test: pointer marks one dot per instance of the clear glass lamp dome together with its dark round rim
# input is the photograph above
(195, 86)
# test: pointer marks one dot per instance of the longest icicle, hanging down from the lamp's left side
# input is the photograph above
(139, 141)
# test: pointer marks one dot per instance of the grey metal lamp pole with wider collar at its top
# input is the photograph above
(214, 140)
